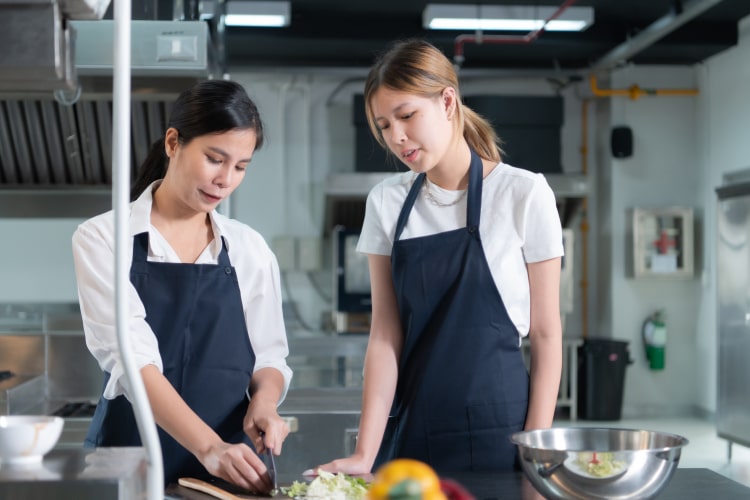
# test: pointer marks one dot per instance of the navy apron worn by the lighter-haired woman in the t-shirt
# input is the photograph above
(463, 386)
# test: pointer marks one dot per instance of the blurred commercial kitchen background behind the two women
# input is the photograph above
(644, 143)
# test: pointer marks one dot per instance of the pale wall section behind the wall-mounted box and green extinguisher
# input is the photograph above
(664, 170)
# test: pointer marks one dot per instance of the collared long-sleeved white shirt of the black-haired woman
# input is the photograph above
(257, 274)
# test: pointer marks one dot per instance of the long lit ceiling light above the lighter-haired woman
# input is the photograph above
(505, 18)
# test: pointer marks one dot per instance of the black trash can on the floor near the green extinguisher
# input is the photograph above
(601, 378)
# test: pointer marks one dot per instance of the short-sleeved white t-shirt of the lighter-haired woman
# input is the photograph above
(519, 224)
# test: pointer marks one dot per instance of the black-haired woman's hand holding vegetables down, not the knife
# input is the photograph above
(238, 464)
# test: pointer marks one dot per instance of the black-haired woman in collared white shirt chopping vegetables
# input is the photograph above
(205, 321)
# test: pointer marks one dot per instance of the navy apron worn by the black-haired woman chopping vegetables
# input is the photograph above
(195, 311)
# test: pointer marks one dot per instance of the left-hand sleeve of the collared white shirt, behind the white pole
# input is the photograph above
(93, 257)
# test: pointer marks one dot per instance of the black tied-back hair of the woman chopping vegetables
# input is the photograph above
(209, 107)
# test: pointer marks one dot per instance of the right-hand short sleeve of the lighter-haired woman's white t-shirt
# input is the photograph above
(542, 233)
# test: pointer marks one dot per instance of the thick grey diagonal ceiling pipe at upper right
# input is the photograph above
(654, 32)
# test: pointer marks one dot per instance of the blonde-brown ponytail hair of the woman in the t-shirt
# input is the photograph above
(417, 67)
